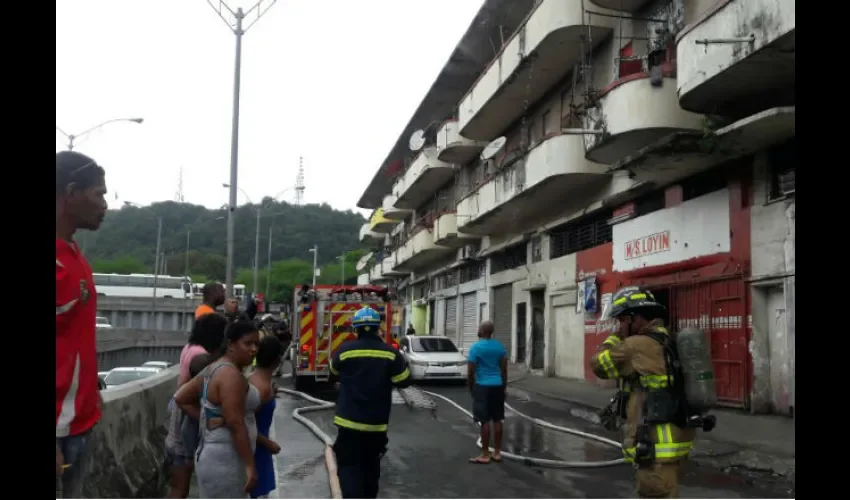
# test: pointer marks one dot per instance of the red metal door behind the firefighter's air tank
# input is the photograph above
(720, 308)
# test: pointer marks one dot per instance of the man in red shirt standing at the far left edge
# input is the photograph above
(80, 204)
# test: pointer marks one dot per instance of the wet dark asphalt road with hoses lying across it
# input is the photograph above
(428, 455)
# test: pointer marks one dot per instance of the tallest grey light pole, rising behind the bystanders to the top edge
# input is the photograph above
(238, 29)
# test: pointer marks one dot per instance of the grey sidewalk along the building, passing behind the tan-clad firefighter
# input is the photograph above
(764, 443)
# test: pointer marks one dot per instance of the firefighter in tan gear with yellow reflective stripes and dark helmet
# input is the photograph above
(634, 356)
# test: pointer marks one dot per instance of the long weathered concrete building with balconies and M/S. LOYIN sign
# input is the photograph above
(628, 144)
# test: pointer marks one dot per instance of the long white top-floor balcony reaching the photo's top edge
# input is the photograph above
(539, 54)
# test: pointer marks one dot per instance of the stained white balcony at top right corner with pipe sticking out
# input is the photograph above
(738, 54)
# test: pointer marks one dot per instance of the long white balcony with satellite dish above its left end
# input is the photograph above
(552, 174)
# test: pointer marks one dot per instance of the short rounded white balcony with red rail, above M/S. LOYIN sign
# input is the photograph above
(633, 114)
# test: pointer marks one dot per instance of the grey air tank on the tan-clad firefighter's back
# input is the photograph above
(694, 353)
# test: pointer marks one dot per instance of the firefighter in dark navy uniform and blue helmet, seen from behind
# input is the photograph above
(367, 369)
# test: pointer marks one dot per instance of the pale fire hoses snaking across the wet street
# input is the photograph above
(410, 399)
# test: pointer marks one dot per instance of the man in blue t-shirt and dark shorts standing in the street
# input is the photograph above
(488, 381)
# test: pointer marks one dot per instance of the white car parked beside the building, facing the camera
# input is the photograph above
(433, 358)
